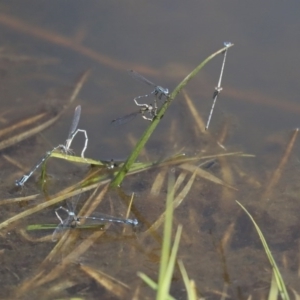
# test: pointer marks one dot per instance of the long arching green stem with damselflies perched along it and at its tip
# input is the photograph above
(146, 135)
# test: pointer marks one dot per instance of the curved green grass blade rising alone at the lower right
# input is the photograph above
(280, 283)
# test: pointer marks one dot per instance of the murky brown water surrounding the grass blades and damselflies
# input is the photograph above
(44, 49)
